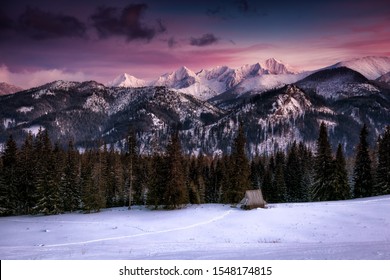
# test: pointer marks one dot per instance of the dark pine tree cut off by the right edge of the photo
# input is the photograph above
(383, 170)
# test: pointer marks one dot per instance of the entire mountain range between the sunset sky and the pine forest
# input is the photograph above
(276, 105)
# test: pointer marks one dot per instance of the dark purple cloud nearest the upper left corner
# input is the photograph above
(41, 25)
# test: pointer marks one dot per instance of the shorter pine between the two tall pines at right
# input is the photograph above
(341, 186)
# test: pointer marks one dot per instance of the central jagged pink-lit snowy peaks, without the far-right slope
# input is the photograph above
(209, 83)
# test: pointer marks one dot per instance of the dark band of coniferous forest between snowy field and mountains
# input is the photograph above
(41, 177)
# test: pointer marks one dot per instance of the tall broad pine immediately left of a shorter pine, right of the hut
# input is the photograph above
(323, 168)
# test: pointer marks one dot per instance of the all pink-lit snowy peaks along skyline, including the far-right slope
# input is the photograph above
(258, 77)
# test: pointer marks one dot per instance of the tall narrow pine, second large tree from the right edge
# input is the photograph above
(363, 181)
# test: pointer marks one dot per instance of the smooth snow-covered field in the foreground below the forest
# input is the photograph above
(354, 229)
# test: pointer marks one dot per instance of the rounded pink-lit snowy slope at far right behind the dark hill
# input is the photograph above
(372, 67)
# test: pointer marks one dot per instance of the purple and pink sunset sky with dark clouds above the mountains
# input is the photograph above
(46, 40)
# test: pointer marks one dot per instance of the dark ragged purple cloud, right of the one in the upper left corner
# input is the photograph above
(109, 21)
